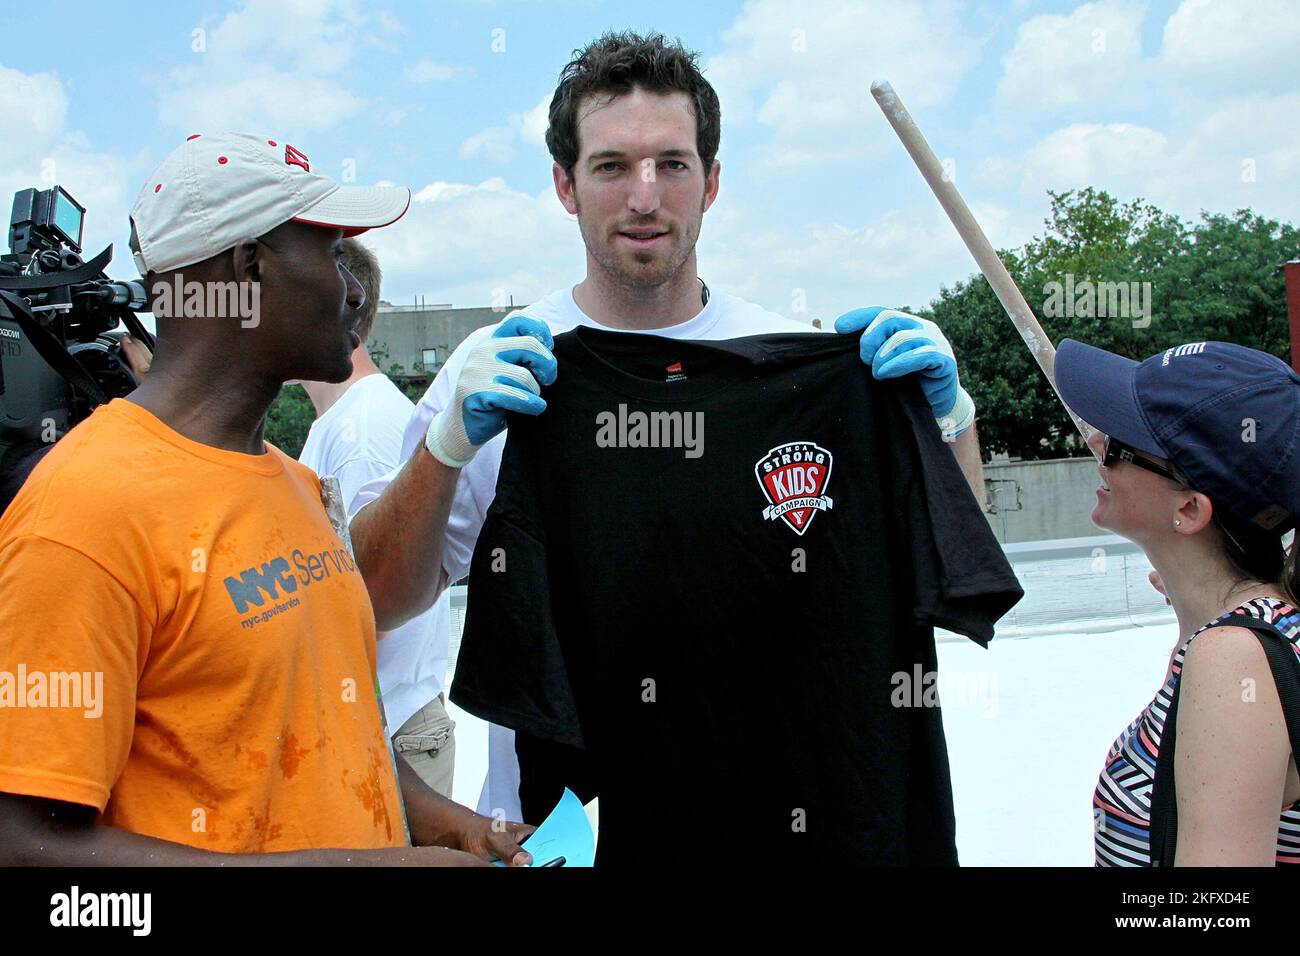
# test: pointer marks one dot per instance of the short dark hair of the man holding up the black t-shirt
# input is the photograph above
(619, 63)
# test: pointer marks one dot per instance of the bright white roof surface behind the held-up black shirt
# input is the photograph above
(1029, 724)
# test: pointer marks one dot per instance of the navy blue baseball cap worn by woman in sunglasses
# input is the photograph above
(1228, 417)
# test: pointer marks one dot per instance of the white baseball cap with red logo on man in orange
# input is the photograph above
(215, 191)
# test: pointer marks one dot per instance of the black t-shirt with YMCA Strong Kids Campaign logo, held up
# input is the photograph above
(708, 576)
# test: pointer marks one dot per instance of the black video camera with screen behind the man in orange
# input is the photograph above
(59, 354)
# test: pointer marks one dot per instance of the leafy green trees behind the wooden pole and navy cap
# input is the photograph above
(1217, 280)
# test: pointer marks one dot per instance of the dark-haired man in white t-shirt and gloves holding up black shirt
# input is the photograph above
(635, 133)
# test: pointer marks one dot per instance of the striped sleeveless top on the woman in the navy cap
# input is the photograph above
(1121, 806)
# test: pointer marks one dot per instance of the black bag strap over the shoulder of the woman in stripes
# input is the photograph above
(1164, 799)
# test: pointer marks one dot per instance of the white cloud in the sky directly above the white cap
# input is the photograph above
(268, 67)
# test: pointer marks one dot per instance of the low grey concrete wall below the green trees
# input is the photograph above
(1035, 501)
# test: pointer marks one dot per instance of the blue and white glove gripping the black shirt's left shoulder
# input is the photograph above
(501, 374)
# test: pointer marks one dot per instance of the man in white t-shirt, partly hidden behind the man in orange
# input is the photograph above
(358, 438)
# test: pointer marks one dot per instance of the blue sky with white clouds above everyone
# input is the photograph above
(1193, 105)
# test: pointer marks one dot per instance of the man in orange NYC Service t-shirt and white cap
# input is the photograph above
(187, 646)
